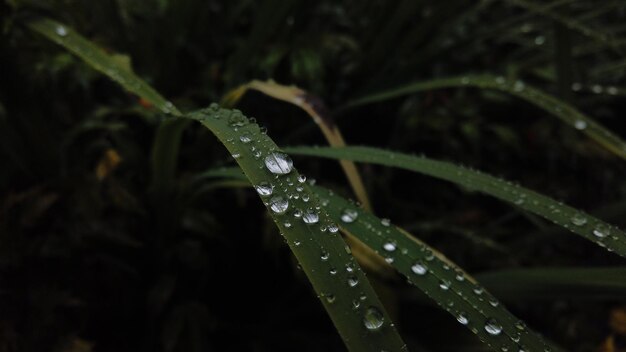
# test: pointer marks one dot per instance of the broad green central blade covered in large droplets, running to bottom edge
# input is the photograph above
(333, 272)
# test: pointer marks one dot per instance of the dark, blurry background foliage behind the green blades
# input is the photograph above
(91, 260)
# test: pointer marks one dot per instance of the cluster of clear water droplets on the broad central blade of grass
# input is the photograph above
(286, 197)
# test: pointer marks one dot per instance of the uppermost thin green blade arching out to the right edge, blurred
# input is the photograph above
(565, 112)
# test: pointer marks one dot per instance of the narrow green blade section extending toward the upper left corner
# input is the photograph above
(101, 61)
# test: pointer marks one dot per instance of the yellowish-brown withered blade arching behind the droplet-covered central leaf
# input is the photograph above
(315, 108)
